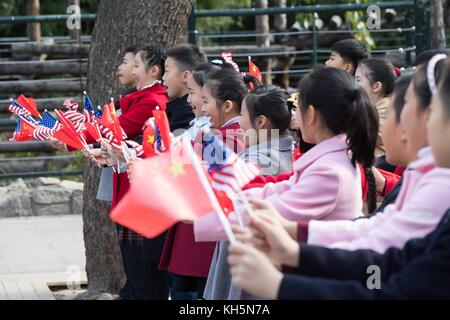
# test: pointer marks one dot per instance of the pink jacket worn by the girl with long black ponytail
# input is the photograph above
(325, 186)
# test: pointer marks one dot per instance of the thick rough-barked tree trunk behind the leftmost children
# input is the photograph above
(119, 24)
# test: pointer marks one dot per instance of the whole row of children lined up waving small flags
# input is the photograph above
(369, 138)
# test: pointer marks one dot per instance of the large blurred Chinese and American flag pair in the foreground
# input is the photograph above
(148, 207)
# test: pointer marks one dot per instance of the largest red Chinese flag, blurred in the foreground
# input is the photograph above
(164, 190)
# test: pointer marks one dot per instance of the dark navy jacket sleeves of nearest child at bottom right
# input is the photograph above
(420, 270)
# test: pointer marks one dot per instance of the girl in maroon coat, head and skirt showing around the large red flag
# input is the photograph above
(187, 261)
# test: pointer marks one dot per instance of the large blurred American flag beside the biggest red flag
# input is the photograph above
(229, 173)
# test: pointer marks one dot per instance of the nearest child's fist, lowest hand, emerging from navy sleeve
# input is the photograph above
(252, 271)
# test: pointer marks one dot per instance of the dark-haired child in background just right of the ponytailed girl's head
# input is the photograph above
(377, 77)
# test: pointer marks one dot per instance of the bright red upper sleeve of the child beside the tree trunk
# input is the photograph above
(133, 121)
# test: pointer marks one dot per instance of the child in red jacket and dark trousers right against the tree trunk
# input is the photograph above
(140, 255)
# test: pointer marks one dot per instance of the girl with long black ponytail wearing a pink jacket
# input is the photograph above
(338, 117)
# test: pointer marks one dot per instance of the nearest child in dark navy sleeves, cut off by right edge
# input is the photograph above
(418, 271)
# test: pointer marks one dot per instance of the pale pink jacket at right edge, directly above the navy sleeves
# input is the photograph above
(423, 199)
